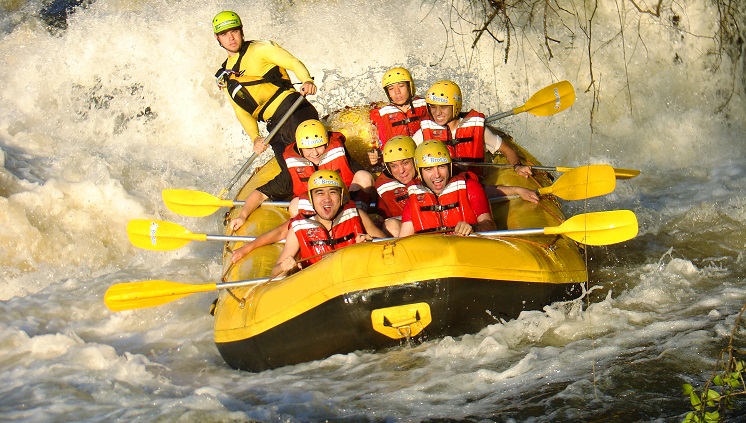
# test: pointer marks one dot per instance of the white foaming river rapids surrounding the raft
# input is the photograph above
(102, 113)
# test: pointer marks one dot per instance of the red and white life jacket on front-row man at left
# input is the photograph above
(313, 238)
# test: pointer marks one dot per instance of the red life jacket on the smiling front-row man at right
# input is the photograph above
(433, 213)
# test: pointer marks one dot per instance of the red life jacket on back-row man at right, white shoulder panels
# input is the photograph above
(468, 143)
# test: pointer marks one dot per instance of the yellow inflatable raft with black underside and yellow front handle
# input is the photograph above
(377, 295)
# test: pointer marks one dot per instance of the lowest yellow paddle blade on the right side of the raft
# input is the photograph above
(599, 228)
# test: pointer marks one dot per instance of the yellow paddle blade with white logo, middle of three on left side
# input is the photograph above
(159, 235)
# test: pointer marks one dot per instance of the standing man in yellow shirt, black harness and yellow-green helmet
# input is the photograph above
(256, 79)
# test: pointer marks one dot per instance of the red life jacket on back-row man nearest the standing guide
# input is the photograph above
(390, 121)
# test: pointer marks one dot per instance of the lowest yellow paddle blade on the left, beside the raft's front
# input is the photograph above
(134, 295)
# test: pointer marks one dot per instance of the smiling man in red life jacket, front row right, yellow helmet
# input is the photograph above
(442, 202)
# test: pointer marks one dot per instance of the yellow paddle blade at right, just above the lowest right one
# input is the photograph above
(583, 182)
